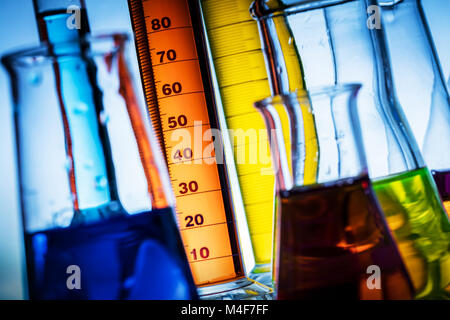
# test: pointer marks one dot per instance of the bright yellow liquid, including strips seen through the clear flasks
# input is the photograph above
(242, 76)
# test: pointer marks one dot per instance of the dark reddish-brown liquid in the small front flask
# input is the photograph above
(334, 244)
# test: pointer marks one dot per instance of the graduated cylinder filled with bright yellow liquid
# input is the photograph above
(241, 76)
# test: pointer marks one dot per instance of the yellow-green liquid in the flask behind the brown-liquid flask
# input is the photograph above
(422, 230)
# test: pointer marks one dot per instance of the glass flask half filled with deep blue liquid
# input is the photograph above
(96, 199)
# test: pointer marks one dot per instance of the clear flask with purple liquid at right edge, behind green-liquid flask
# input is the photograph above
(420, 85)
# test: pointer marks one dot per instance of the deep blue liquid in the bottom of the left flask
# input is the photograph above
(128, 257)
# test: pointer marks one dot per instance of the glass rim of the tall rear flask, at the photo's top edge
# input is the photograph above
(291, 8)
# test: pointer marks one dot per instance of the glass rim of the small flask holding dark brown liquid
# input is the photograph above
(304, 94)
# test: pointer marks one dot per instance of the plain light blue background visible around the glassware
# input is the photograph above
(18, 30)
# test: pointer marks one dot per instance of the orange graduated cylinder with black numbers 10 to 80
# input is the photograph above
(179, 92)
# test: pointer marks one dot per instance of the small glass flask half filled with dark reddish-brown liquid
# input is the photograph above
(330, 235)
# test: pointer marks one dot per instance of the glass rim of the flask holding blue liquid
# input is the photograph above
(42, 53)
